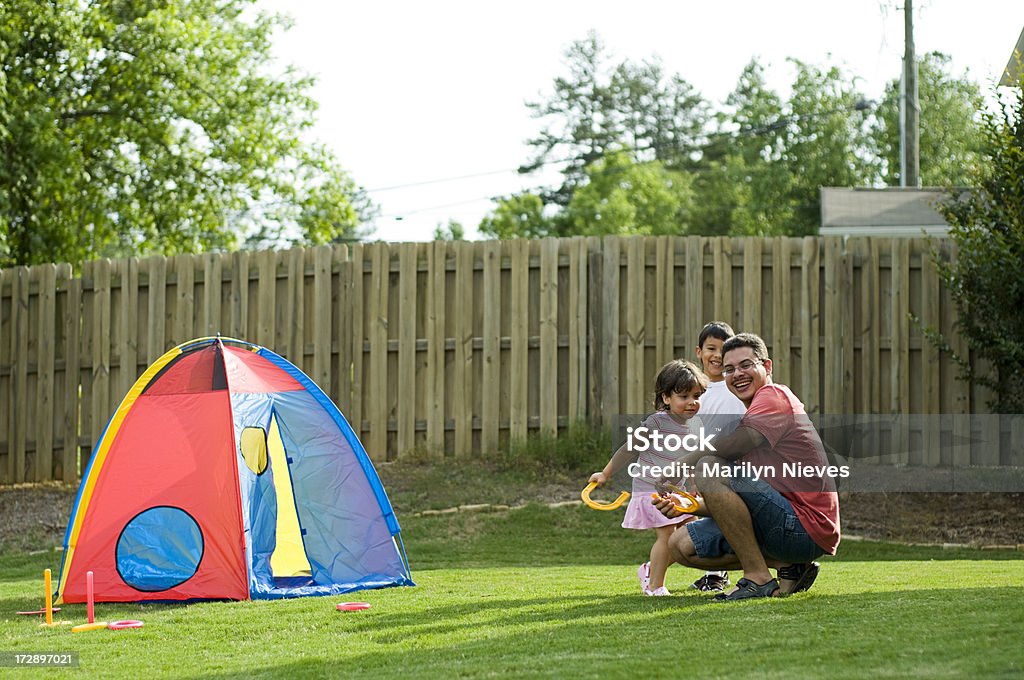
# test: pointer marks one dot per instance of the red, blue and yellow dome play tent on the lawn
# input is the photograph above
(227, 474)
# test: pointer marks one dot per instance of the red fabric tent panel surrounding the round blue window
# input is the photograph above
(181, 451)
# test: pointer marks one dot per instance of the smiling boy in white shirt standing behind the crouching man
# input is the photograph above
(720, 412)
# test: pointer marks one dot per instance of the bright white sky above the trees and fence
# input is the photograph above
(424, 103)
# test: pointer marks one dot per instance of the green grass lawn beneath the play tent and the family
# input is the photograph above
(553, 592)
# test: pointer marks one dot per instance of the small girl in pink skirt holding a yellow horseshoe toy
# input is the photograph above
(677, 400)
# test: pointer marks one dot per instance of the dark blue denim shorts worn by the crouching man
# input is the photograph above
(780, 534)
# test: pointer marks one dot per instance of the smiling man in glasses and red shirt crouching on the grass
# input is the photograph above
(769, 499)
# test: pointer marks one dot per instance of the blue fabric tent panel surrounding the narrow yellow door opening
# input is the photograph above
(350, 532)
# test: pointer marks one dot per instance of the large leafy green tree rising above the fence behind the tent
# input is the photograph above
(154, 126)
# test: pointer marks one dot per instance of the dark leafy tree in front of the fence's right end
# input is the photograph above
(987, 280)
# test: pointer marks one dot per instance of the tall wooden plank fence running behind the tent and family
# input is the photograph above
(457, 349)
